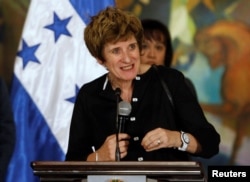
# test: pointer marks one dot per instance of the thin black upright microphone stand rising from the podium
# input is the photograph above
(117, 151)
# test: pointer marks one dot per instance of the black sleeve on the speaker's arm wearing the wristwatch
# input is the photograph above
(190, 117)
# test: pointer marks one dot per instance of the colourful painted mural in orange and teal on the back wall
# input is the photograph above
(211, 39)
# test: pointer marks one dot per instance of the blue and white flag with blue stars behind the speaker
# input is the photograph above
(52, 63)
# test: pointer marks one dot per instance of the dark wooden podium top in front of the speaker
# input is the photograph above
(55, 171)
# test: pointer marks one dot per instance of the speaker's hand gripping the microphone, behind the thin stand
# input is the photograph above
(107, 151)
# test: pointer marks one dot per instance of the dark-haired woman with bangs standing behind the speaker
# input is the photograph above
(157, 47)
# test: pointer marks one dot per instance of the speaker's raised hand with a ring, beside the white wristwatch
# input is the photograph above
(160, 138)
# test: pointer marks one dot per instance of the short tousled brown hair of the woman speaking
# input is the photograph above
(111, 25)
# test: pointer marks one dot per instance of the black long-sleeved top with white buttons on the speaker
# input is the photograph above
(94, 117)
